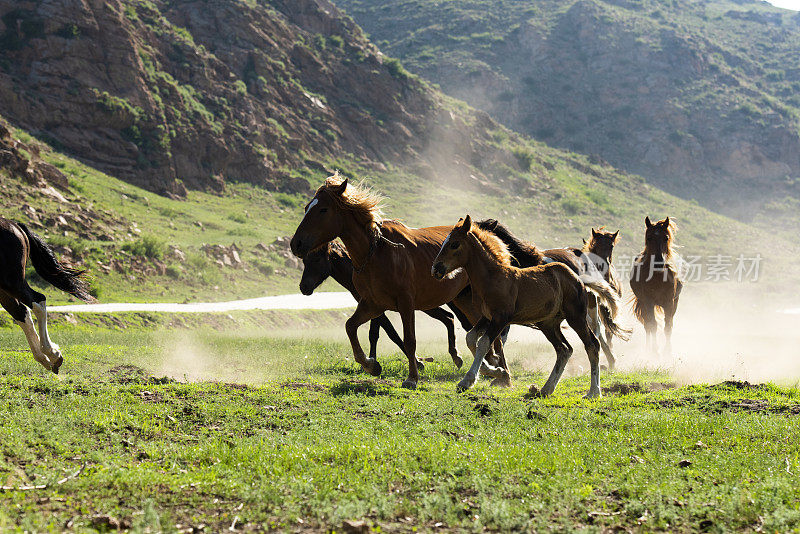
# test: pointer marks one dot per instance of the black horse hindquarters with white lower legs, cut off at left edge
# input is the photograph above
(17, 245)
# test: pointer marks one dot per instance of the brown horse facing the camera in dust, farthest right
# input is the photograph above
(655, 282)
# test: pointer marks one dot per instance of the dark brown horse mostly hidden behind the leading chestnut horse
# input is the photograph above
(332, 260)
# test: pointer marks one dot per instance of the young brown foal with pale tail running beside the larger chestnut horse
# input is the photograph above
(543, 296)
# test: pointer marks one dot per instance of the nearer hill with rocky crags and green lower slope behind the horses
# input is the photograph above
(146, 235)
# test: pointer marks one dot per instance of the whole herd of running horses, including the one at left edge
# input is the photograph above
(488, 278)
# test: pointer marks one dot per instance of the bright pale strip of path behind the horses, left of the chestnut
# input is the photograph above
(317, 301)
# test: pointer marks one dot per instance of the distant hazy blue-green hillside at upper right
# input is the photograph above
(700, 97)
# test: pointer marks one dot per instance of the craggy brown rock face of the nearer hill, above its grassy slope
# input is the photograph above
(180, 94)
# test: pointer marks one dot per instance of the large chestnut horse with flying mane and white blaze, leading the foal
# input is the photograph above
(391, 262)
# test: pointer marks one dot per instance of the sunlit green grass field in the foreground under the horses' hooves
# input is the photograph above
(216, 427)
